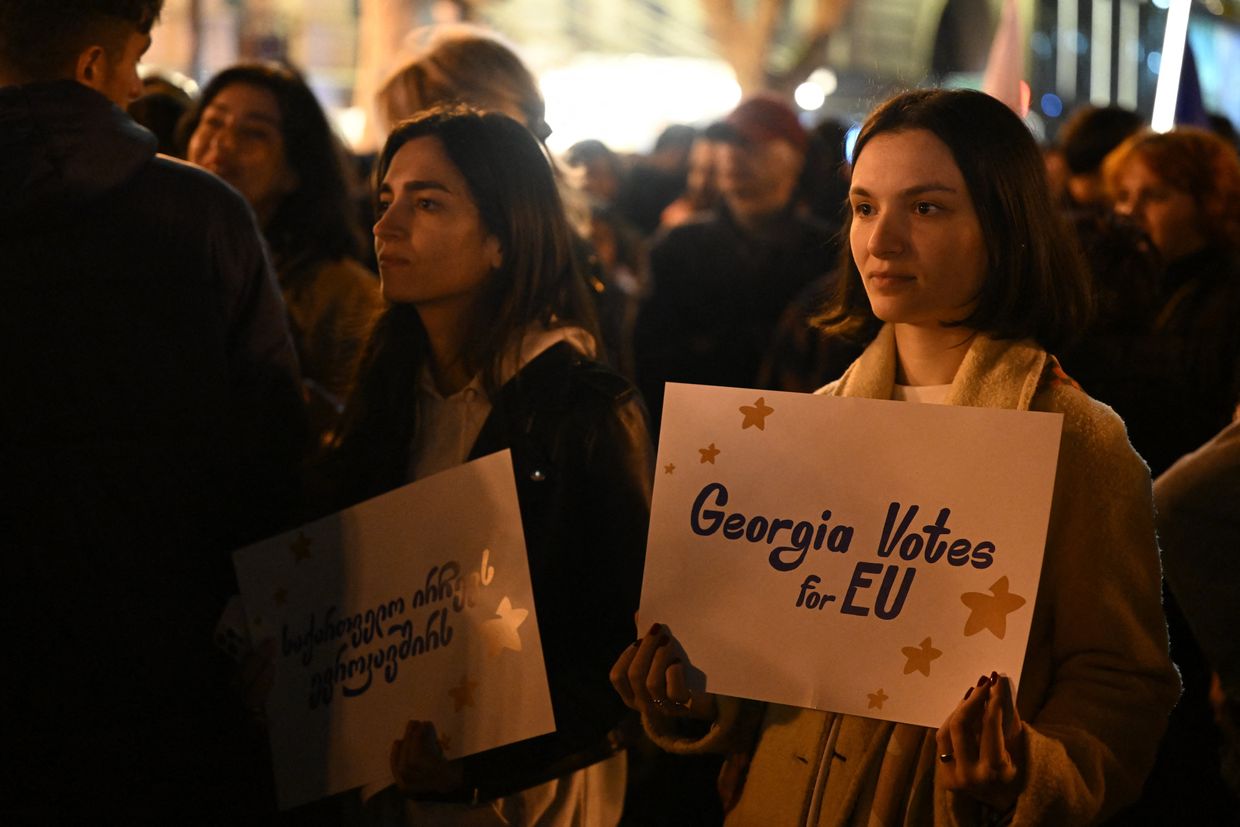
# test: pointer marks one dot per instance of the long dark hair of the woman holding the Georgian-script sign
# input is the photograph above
(538, 282)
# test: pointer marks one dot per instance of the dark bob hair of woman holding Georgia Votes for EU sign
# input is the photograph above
(1036, 286)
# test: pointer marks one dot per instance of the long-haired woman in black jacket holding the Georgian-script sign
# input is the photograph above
(487, 345)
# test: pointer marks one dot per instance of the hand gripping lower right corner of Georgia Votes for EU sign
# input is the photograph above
(981, 746)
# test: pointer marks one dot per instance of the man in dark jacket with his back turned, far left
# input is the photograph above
(151, 423)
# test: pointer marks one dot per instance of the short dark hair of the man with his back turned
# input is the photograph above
(40, 40)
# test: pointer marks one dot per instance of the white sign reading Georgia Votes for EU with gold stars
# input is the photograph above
(855, 556)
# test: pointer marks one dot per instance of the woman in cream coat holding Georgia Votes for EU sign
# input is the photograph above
(963, 278)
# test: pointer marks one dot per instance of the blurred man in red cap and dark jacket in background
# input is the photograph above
(721, 282)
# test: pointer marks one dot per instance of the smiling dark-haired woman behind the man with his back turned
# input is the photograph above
(261, 128)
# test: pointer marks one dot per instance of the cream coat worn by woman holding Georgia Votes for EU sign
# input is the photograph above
(1097, 684)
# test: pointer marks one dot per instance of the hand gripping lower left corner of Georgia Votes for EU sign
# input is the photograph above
(650, 679)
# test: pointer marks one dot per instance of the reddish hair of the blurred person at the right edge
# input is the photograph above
(1195, 162)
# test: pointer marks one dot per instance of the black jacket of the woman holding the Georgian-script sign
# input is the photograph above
(583, 464)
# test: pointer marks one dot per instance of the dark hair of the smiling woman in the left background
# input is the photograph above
(317, 221)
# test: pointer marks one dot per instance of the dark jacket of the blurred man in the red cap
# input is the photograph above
(717, 296)
